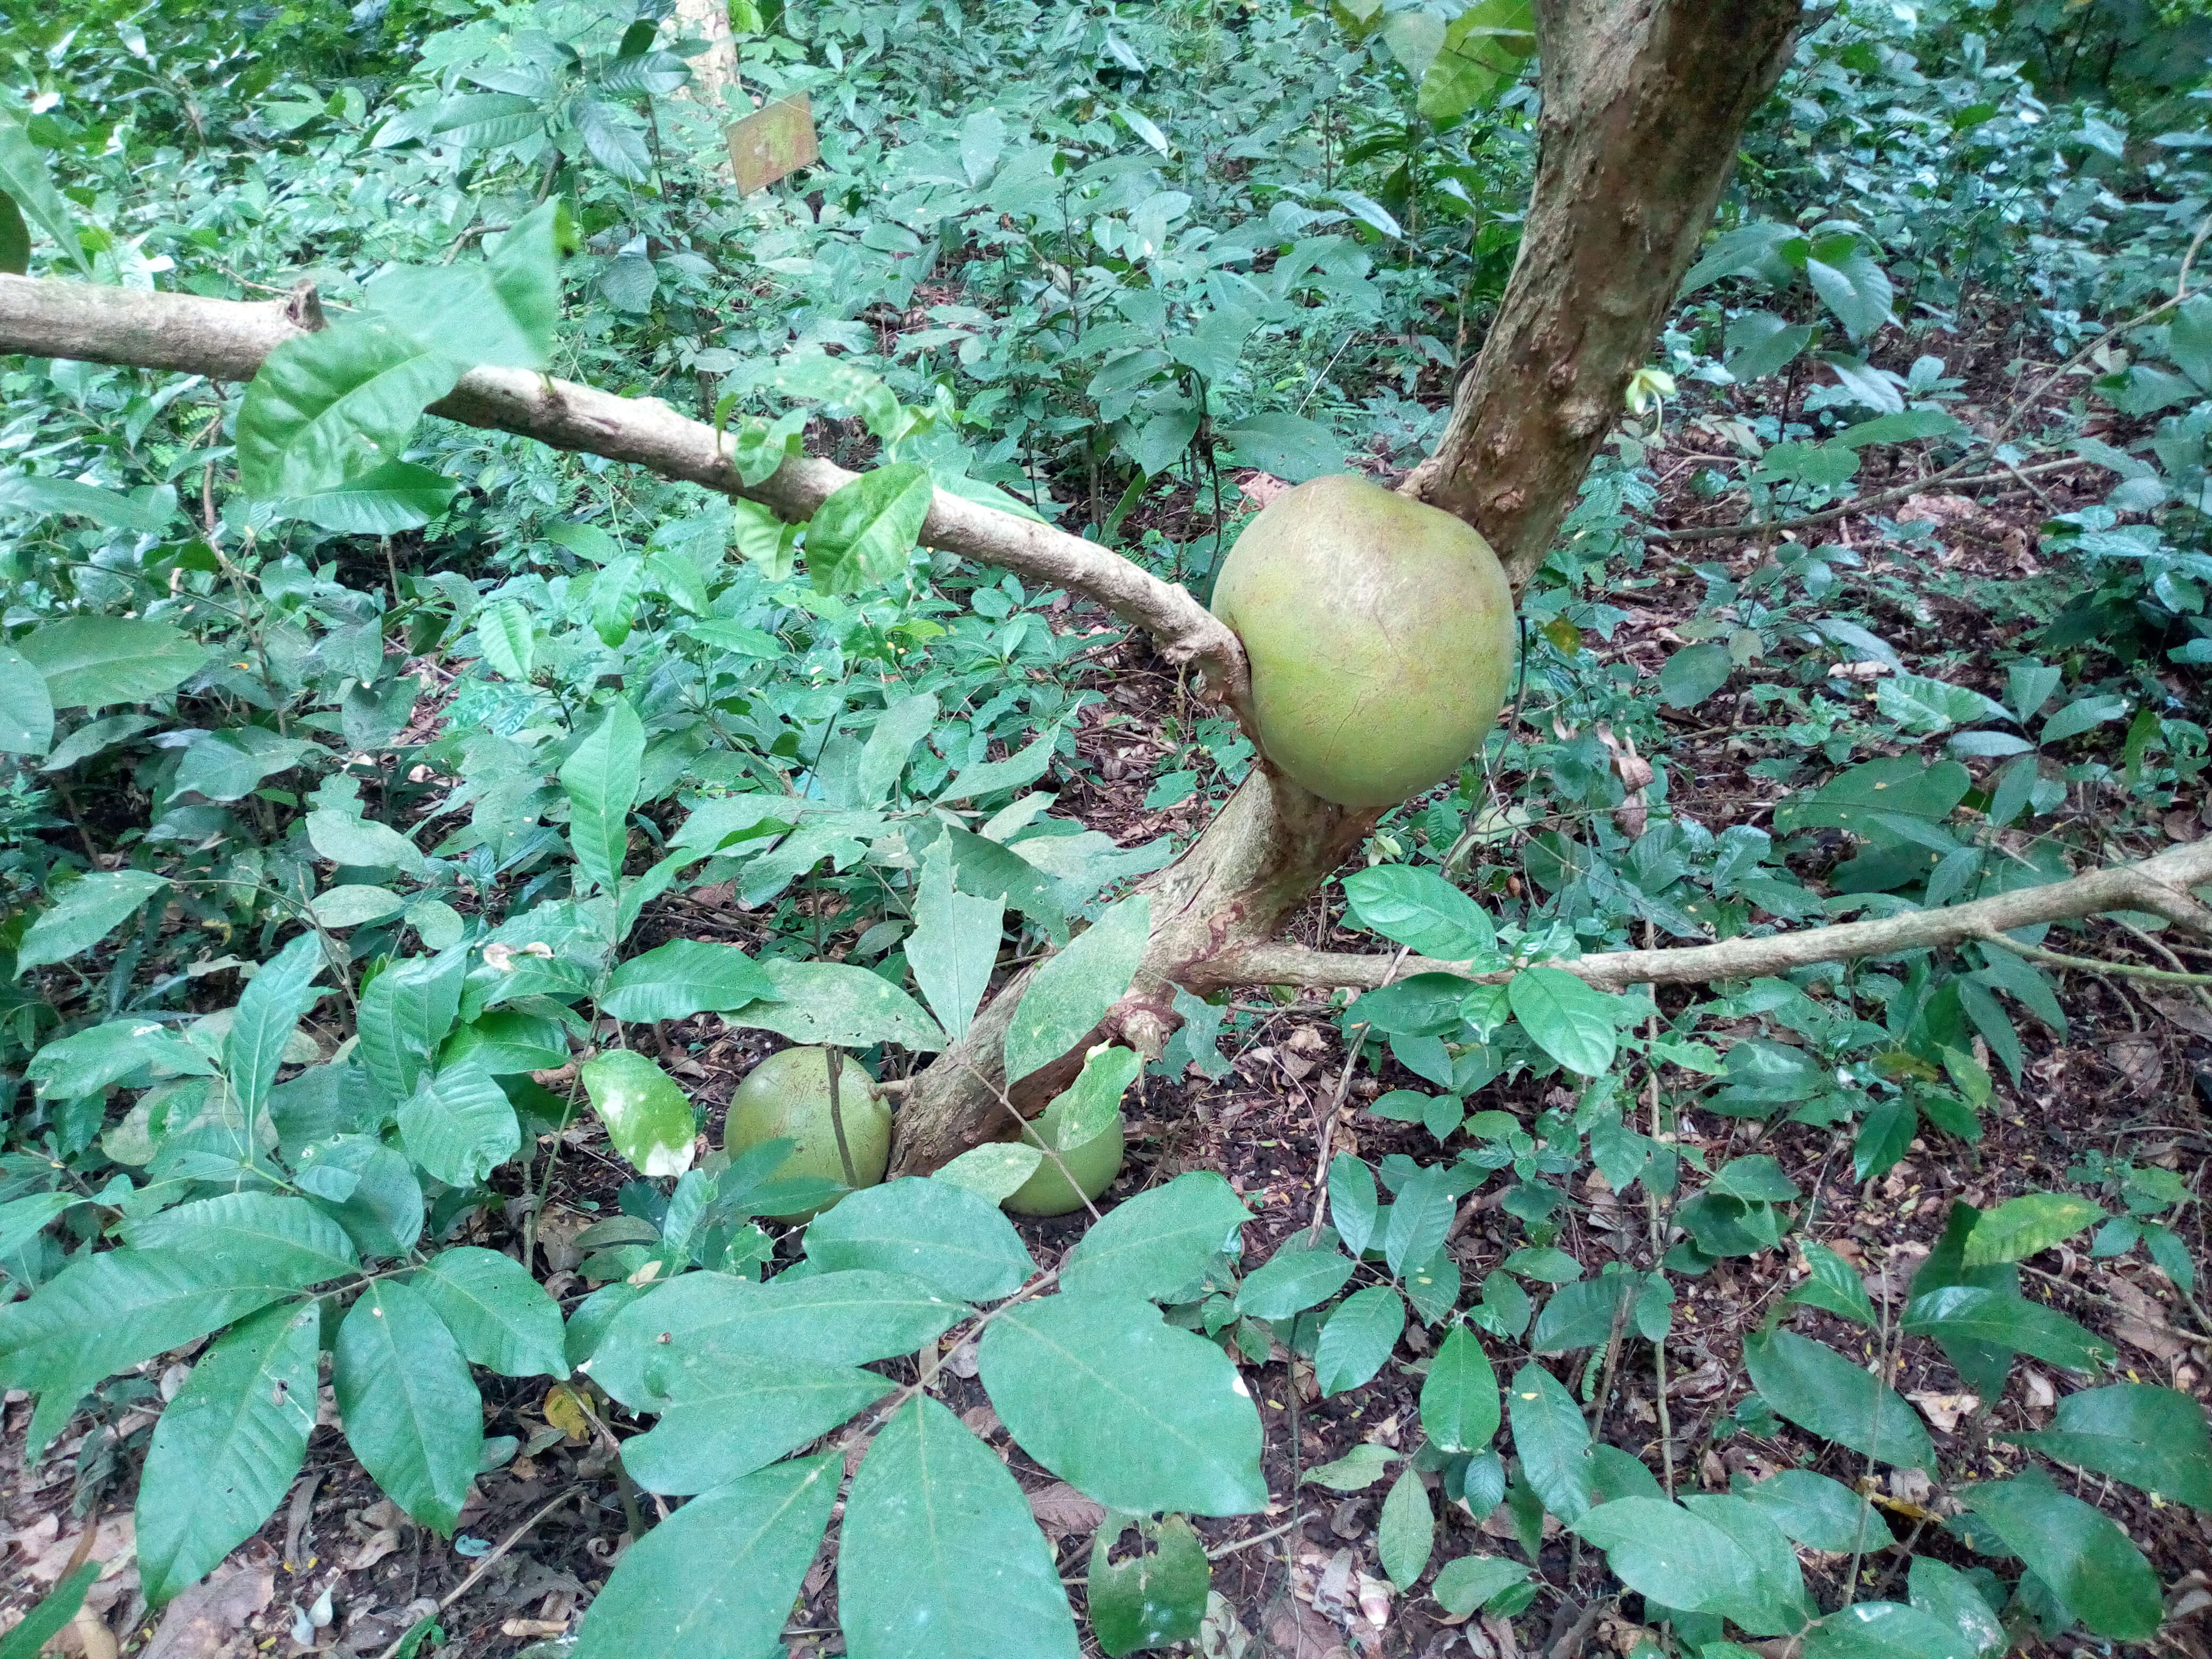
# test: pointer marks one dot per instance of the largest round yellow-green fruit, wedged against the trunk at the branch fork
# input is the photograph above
(1379, 632)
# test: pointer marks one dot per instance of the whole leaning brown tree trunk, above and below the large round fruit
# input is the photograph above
(1645, 103)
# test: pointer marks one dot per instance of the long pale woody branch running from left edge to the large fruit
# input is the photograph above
(227, 342)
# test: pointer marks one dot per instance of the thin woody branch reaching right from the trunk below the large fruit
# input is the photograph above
(2160, 886)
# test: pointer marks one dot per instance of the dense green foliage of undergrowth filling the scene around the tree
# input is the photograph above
(353, 758)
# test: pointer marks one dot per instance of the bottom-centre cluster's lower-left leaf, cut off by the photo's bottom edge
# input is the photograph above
(718, 1578)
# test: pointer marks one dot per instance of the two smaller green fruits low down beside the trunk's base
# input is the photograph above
(789, 1096)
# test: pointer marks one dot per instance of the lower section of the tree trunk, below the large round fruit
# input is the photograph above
(1262, 857)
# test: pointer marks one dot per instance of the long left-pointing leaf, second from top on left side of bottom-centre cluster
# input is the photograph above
(837, 1317)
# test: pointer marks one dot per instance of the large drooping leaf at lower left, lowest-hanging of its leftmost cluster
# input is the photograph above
(227, 1448)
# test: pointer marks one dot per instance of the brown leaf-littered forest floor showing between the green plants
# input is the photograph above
(342, 1572)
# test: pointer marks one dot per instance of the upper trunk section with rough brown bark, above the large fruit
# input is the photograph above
(1645, 103)
